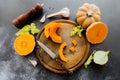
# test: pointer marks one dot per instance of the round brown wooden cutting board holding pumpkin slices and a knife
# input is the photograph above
(75, 59)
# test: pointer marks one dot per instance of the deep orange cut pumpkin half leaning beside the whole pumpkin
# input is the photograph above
(97, 32)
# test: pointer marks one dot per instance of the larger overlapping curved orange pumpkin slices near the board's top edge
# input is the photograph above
(51, 30)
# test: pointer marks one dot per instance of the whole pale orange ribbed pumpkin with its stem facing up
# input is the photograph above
(88, 14)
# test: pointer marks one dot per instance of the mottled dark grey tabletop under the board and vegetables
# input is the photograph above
(15, 67)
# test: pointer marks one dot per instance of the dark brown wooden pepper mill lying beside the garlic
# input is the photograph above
(28, 16)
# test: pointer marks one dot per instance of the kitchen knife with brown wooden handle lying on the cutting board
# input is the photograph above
(53, 56)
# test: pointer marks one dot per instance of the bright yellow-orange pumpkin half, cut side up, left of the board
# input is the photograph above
(24, 44)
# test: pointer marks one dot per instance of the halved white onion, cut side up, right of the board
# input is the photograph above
(101, 57)
